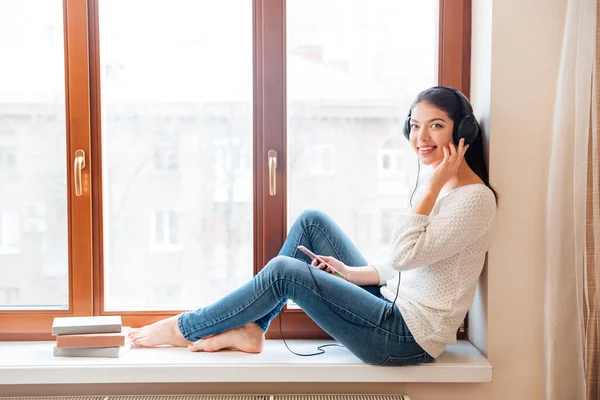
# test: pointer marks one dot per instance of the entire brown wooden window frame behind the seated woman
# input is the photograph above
(82, 69)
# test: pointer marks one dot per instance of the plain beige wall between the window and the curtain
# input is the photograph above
(513, 91)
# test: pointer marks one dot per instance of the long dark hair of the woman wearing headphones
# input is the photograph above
(449, 102)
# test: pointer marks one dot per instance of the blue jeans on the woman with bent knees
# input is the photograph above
(363, 329)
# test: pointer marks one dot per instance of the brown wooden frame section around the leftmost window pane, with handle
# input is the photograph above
(24, 325)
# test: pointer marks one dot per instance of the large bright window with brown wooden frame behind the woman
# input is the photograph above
(329, 80)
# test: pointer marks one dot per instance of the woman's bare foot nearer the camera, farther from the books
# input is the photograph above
(248, 338)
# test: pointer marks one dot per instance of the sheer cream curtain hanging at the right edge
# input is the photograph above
(573, 215)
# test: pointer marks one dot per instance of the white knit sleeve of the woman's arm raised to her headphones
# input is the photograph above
(419, 240)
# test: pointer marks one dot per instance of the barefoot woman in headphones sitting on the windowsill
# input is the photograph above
(438, 248)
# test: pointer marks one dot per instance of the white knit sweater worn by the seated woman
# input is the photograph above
(440, 257)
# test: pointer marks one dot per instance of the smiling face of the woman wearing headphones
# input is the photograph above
(430, 130)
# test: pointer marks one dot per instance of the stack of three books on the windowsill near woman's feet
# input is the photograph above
(103, 336)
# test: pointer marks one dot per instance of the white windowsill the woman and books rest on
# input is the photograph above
(24, 363)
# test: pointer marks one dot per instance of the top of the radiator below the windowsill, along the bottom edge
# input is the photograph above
(226, 397)
